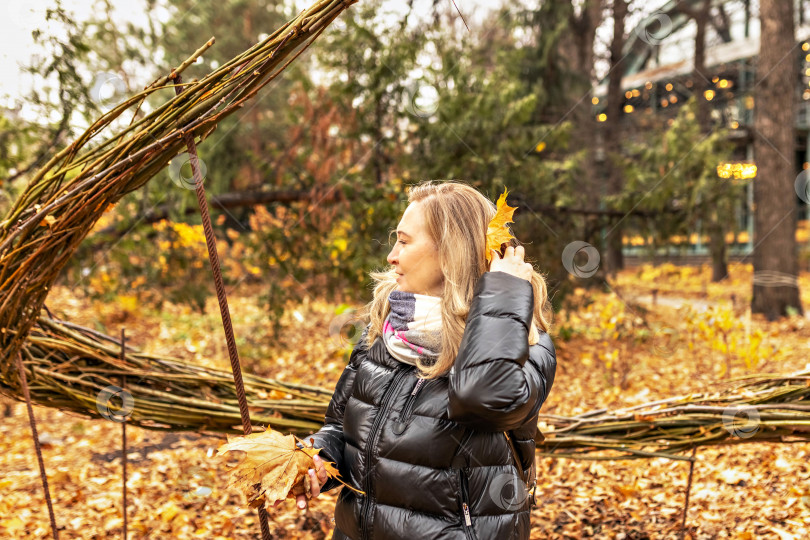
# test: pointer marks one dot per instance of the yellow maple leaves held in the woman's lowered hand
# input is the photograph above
(272, 466)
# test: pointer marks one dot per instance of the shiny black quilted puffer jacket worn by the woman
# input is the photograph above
(431, 455)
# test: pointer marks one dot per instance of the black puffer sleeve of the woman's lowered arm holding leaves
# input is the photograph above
(330, 437)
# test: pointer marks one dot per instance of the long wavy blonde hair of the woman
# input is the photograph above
(456, 219)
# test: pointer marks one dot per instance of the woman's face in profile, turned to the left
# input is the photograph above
(415, 257)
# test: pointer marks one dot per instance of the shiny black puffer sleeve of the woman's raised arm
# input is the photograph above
(493, 386)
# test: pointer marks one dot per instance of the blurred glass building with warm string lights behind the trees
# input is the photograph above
(658, 79)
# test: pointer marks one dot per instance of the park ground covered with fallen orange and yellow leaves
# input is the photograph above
(655, 332)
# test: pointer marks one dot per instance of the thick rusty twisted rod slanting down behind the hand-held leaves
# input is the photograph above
(213, 259)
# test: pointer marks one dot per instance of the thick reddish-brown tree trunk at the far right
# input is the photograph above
(775, 287)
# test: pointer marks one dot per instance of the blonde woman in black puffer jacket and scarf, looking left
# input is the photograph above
(435, 416)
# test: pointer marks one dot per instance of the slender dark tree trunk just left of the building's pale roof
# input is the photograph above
(614, 261)
